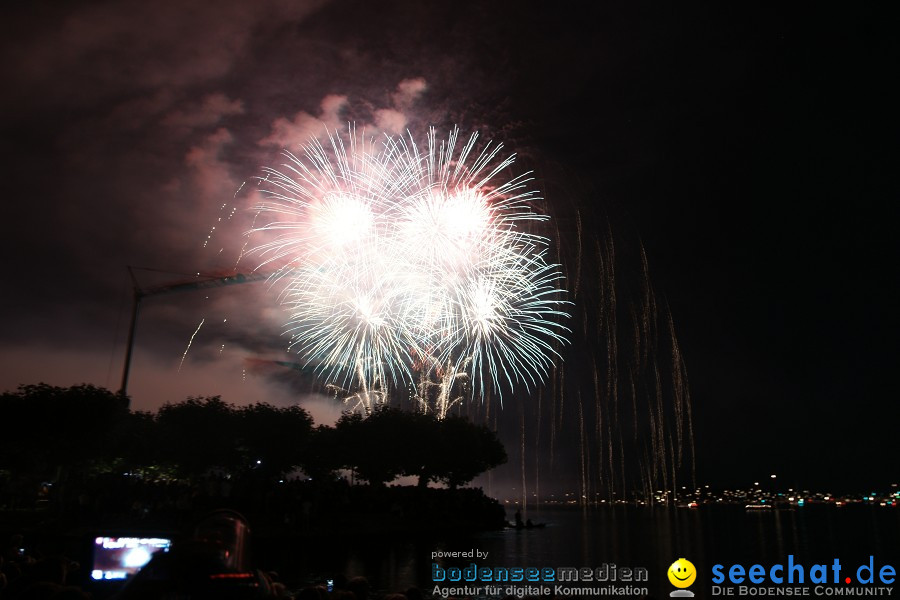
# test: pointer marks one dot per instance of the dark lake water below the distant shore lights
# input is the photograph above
(626, 536)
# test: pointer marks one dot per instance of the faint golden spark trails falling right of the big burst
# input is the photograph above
(642, 421)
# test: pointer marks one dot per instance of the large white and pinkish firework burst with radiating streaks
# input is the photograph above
(395, 262)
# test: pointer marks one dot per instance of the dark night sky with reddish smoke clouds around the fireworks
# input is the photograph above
(753, 152)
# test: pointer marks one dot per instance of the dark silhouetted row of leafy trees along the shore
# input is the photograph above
(49, 433)
